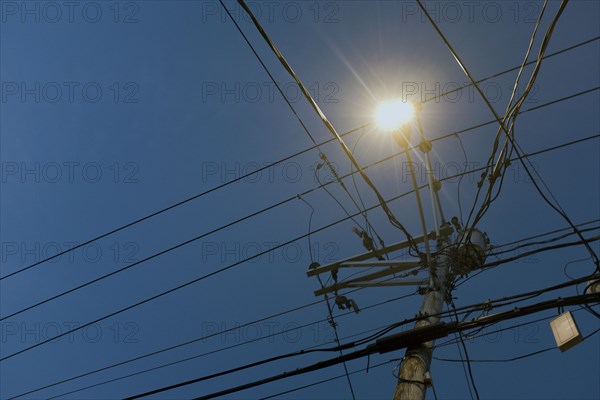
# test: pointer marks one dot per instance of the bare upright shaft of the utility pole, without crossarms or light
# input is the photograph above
(414, 377)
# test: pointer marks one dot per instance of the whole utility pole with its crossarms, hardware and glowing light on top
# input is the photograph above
(413, 377)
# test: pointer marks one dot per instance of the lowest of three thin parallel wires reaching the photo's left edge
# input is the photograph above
(245, 260)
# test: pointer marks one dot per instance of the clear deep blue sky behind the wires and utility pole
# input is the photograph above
(113, 110)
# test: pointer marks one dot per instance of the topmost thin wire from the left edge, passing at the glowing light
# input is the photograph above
(240, 178)
